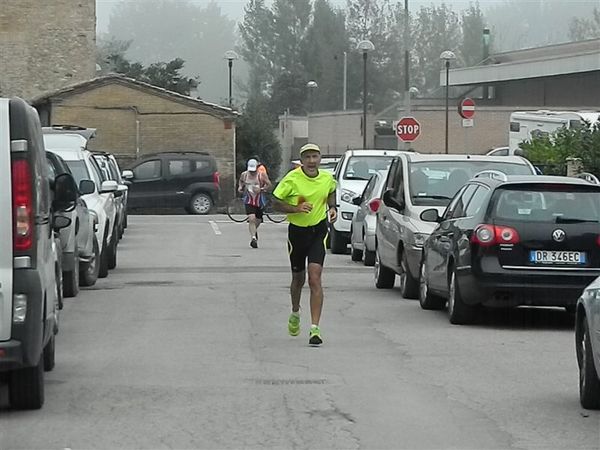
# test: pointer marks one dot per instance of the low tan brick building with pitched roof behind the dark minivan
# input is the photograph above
(134, 119)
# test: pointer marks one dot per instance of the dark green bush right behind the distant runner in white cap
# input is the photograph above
(255, 136)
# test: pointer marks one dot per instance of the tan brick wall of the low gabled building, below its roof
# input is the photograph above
(132, 123)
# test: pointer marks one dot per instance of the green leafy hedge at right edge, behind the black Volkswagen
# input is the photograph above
(575, 142)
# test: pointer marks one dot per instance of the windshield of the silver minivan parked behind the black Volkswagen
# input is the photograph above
(434, 183)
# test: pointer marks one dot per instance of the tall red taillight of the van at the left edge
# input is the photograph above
(22, 205)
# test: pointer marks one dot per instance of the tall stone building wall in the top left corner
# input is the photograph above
(45, 45)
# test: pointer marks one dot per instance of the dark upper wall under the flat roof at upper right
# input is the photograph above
(575, 91)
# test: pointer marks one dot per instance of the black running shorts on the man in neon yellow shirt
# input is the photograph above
(306, 242)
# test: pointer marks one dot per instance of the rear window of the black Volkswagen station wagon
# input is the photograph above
(553, 204)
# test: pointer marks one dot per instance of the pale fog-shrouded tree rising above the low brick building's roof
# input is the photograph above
(164, 30)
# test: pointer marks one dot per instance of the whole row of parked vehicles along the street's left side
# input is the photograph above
(60, 216)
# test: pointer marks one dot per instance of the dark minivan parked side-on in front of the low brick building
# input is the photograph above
(187, 180)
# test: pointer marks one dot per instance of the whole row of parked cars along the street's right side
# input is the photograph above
(464, 232)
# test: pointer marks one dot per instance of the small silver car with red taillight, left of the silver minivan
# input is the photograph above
(364, 222)
